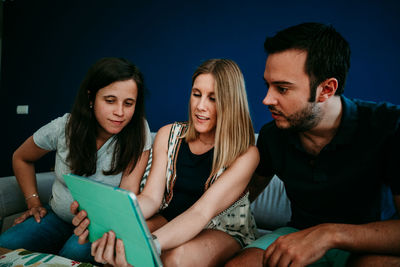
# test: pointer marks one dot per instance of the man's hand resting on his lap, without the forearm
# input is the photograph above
(300, 248)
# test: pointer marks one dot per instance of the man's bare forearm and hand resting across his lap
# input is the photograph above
(309, 245)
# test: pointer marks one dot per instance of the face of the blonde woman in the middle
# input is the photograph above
(202, 104)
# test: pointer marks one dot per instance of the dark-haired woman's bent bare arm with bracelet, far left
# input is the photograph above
(24, 170)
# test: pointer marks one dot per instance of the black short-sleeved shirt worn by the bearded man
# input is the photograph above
(343, 183)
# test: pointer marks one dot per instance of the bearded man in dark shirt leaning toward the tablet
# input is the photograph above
(333, 154)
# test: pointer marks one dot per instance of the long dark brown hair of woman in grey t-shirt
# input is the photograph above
(81, 128)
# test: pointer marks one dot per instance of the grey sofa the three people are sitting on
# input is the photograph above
(271, 208)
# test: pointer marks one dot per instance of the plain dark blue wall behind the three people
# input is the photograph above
(49, 45)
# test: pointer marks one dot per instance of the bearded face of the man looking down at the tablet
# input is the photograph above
(289, 91)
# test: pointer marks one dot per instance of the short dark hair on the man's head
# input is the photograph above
(328, 53)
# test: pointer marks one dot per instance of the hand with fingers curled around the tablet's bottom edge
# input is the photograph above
(108, 250)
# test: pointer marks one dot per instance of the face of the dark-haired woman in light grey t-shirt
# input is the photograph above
(114, 107)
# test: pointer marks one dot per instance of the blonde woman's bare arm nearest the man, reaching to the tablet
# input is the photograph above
(223, 193)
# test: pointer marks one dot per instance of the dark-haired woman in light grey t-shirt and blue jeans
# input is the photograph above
(105, 138)
